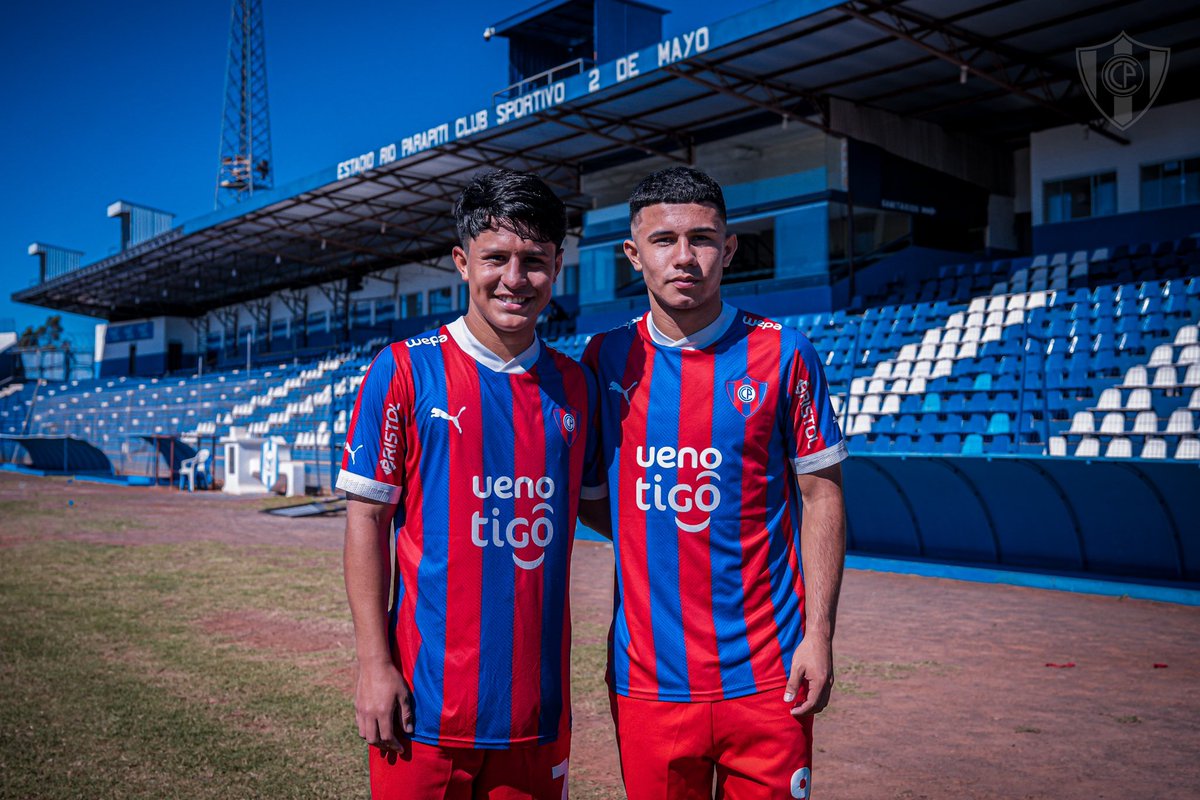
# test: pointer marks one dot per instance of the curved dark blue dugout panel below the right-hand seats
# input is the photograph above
(1113, 519)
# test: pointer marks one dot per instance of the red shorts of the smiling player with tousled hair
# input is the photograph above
(424, 772)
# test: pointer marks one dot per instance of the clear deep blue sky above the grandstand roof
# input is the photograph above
(123, 101)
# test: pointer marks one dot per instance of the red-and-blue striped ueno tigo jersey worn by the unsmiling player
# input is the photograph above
(701, 441)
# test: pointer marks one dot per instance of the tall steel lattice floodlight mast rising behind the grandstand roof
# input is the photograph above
(245, 158)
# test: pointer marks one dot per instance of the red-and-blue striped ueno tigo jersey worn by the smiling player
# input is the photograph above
(484, 460)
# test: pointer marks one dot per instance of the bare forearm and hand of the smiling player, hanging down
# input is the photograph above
(382, 701)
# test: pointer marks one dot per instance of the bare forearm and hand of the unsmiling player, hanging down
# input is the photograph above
(824, 555)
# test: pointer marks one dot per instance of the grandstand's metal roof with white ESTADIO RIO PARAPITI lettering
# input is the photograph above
(998, 70)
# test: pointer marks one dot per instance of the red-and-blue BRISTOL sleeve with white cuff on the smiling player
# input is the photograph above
(376, 440)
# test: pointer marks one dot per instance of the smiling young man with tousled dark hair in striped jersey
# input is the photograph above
(472, 438)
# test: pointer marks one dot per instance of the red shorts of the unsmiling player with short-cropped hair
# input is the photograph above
(752, 747)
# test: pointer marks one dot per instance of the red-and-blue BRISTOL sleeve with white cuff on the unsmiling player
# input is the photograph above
(814, 437)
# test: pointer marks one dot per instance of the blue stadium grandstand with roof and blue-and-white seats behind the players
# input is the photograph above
(1001, 275)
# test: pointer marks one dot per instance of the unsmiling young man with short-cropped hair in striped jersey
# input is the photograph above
(722, 456)
